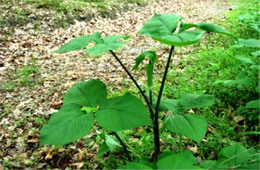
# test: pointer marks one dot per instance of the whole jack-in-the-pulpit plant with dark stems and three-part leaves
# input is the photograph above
(86, 101)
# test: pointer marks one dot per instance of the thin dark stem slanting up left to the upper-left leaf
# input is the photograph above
(136, 84)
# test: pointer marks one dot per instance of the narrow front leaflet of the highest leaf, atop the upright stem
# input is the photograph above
(182, 39)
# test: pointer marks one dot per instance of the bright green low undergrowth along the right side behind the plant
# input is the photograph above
(229, 119)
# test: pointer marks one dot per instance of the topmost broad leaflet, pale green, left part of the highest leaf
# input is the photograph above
(160, 25)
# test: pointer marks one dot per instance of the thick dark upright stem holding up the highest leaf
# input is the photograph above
(156, 124)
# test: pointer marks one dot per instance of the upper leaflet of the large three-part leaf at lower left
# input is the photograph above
(89, 93)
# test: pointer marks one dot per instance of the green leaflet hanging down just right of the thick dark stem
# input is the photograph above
(190, 125)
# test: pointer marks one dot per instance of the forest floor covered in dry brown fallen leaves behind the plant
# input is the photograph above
(34, 80)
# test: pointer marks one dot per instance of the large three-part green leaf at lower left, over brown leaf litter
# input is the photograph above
(81, 103)
